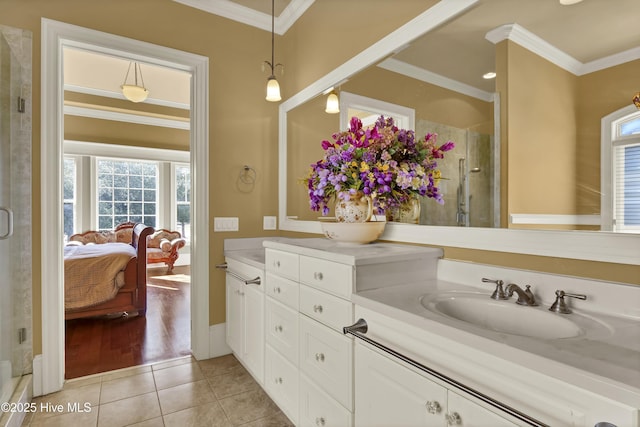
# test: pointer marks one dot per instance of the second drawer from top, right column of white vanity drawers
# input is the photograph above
(328, 309)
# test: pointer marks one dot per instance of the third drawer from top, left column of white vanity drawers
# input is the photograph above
(282, 330)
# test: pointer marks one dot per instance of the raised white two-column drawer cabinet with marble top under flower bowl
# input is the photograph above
(309, 288)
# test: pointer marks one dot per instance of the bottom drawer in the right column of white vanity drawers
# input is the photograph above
(317, 408)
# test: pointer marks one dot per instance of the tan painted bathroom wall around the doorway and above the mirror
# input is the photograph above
(243, 127)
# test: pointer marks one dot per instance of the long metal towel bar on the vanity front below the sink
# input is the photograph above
(360, 328)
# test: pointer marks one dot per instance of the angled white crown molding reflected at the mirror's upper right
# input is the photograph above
(540, 47)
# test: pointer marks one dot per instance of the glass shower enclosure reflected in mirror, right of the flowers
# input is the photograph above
(468, 182)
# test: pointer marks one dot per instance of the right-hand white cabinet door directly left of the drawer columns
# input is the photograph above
(253, 336)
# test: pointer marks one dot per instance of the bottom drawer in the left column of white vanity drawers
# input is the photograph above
(281, 382)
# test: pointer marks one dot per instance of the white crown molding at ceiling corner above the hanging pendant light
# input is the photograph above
(236, 12)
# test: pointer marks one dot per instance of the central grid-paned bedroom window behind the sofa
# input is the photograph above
(127, 191)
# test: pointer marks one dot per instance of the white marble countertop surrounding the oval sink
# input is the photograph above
(604, 360)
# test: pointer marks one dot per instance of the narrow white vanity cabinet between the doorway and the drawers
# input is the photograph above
(245, 315)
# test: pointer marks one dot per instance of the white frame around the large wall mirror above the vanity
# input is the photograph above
(582, 245)
